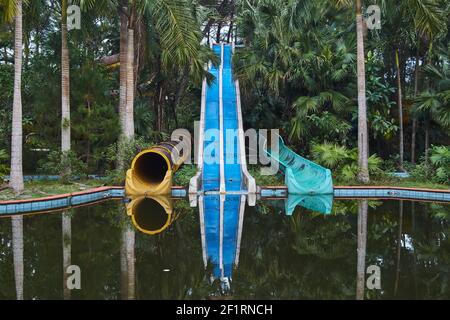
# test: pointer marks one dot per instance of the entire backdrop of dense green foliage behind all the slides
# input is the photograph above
(297, 70)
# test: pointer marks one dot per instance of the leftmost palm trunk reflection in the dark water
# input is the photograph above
(17, 230)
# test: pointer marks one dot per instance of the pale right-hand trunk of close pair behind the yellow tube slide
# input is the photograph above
(129, 125)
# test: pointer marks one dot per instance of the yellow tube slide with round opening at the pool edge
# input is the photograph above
(152, 170)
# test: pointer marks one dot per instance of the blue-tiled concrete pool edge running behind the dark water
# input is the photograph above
(90, 196)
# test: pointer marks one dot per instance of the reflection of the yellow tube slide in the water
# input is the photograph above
(151, 215)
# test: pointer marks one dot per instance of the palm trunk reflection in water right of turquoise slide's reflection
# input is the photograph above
(362, 246)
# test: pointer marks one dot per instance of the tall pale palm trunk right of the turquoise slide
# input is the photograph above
(363, 141)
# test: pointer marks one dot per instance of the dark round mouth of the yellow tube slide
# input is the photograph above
(151, 168)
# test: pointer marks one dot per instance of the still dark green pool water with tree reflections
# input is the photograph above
(308, 255)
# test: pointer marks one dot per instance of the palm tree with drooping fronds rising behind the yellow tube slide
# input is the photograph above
(178, 37)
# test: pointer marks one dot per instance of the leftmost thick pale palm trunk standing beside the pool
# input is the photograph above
(16, 180)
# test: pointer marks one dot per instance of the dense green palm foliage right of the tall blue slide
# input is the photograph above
(297, 72)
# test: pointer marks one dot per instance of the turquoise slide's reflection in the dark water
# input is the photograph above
(319, 203)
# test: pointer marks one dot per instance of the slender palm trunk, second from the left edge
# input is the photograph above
(65, 82)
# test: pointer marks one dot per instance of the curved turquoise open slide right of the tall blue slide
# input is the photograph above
(301, 175)
